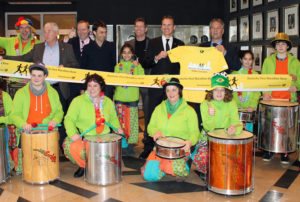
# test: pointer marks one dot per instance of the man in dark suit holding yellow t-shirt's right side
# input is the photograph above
(216, 28)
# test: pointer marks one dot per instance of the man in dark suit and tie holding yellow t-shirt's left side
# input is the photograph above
(160, 63)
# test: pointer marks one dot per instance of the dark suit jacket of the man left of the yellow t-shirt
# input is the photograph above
(164, 65)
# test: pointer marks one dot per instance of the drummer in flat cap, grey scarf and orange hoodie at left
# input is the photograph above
(35, 103)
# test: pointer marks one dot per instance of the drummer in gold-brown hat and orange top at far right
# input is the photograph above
(282, 62)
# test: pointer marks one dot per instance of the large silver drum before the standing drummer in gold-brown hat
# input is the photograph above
(278, 126)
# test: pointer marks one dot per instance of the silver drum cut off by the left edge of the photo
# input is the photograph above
(3, 157)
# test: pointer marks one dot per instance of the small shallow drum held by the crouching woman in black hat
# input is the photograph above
(170, 148)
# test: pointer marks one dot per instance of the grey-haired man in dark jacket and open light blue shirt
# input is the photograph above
(54, 53)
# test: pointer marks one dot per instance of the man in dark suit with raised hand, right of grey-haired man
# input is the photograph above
(82, 39)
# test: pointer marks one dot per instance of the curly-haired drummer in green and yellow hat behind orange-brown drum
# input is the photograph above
(217, 111)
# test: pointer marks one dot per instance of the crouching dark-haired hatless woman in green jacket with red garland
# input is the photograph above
(86, 110)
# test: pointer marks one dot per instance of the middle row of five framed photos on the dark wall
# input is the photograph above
(290, 24)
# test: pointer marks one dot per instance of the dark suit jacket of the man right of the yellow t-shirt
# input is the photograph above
(231, 57)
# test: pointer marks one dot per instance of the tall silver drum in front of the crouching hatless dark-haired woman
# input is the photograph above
(103, 165)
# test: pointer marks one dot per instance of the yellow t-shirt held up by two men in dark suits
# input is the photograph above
(198, 60)
